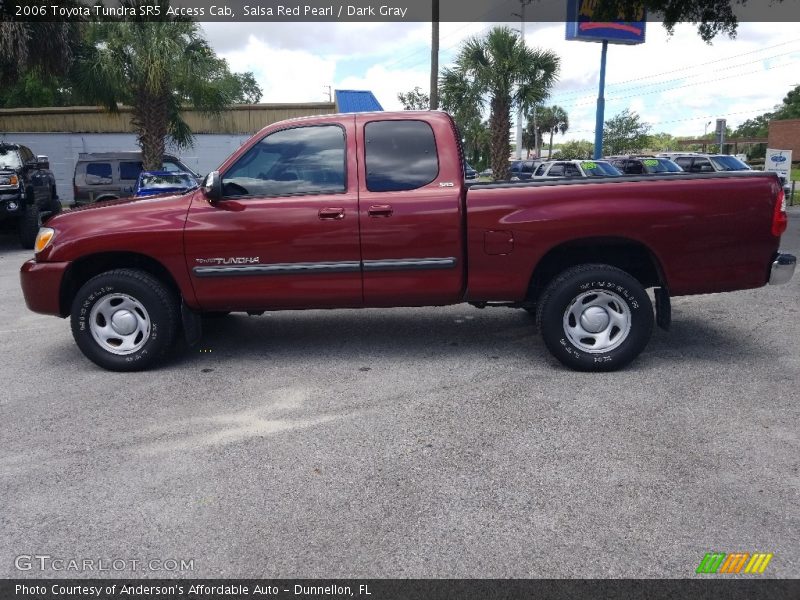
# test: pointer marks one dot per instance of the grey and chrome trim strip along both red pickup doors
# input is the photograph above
(395, 264)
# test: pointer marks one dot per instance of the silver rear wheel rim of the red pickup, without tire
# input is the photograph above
(597, 321)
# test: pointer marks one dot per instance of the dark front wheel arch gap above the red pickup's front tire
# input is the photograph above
(86, 267)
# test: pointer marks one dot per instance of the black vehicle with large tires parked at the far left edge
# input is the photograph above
(27, 191)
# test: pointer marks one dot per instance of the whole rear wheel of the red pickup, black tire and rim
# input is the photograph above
(614, 308)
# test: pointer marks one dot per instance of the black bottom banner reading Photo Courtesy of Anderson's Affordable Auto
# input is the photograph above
(712, 588)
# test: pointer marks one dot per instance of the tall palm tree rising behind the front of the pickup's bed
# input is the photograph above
(500, 68)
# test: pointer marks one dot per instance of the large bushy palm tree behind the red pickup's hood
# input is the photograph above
(156, 68)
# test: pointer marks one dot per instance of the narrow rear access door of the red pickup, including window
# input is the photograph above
(410, 210)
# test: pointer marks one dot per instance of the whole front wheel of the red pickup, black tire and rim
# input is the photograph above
(155, 322)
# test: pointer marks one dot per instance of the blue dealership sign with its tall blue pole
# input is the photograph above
(582, 26)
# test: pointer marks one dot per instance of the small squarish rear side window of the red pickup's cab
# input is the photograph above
(400, 155)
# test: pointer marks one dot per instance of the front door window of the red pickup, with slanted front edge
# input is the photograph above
(302, 160)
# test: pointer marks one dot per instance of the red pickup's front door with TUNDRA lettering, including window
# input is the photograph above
(285, 233)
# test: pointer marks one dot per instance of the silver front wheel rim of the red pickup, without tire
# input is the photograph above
(119, 324)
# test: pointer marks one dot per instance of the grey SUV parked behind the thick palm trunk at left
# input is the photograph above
(110, 175)
